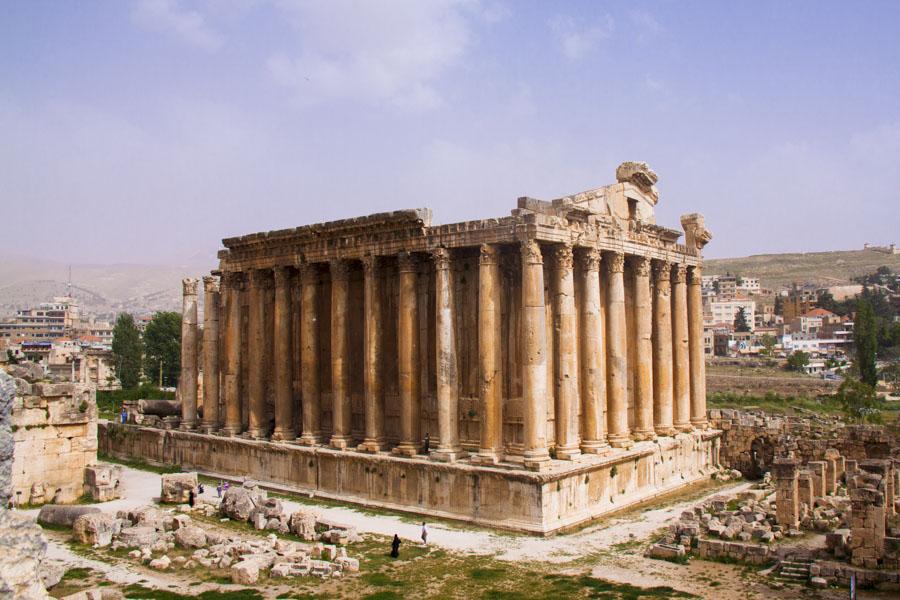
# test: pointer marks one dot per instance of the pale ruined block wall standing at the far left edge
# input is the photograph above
(54, 429)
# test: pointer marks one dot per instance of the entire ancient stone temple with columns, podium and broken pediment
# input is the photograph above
(530, 371)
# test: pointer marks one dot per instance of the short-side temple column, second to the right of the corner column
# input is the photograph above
(593, 368)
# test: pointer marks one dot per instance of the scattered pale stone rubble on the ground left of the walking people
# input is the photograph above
(151, 534)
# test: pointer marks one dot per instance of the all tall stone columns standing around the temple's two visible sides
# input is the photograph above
(591, 411)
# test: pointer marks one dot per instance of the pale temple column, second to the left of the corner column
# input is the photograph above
(446, 369)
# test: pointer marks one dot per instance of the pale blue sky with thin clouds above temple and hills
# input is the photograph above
(147, 130)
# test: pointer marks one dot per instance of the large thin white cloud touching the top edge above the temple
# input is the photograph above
(382, 53)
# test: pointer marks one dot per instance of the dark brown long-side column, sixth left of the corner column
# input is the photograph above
(309, 355)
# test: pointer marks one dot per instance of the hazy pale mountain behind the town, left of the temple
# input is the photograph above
(101, 289)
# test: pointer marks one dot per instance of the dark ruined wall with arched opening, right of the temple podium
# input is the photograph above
(749, 439)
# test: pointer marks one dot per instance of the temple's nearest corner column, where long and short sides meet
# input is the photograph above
(534, 357)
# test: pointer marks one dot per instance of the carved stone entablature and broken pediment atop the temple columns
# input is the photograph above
(614, 218)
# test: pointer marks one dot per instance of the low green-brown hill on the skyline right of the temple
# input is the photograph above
(821, 268)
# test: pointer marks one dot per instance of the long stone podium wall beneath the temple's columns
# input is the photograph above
(541, 503)
